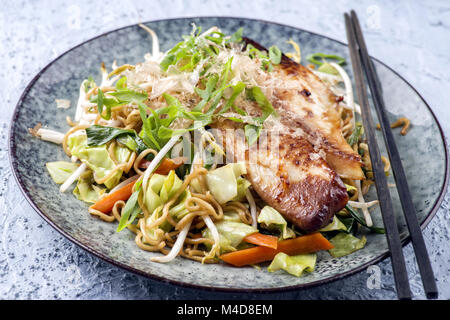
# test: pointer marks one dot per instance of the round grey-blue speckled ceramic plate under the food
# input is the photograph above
(423, 152)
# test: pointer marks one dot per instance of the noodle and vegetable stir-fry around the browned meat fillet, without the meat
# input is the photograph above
(142, 154)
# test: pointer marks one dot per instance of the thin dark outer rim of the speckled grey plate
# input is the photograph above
(404, 242)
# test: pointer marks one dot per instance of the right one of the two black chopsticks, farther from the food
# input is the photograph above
(409, 211)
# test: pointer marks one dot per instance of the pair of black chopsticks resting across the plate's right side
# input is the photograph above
(362, 64)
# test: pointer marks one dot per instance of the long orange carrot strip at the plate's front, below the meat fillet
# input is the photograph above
(303, 244)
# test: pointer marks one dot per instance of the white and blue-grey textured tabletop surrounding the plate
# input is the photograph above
(37, 263)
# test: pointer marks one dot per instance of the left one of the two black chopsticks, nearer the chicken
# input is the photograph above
(389, 220)
